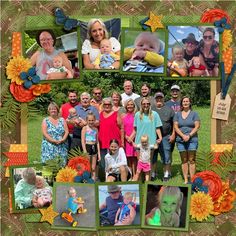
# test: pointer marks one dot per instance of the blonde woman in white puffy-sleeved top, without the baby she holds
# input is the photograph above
(90, 49)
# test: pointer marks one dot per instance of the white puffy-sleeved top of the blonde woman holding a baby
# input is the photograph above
(94, 52)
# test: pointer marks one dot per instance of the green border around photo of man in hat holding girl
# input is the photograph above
(97, 208)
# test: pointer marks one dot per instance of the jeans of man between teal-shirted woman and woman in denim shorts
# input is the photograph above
(165, 149)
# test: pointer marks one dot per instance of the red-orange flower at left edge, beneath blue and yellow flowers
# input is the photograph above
(20, 93)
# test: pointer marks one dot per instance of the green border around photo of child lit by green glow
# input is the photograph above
(187, 221)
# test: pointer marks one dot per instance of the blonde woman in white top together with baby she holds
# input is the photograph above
(92, 48)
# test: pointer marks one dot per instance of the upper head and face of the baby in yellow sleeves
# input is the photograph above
(148, 42)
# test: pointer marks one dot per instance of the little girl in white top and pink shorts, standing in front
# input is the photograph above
(144, 157)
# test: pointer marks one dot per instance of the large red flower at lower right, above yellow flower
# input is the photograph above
(212, 181)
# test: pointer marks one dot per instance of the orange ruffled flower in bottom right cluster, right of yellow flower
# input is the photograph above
(225, 202)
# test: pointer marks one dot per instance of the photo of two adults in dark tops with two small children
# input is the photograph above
(193, 51)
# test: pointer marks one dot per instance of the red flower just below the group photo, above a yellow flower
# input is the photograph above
(80, 164)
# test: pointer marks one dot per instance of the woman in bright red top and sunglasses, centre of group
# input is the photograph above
(109, 128)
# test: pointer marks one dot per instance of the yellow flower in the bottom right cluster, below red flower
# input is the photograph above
(201, 206)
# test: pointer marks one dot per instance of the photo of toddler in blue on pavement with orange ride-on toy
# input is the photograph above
(75, 205)
